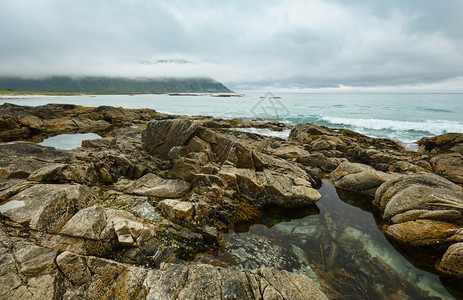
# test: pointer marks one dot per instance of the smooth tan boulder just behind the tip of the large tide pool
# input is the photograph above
(358, 177)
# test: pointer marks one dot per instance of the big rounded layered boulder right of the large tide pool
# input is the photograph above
(425, 209)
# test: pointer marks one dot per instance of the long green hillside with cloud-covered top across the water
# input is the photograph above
(114, 85)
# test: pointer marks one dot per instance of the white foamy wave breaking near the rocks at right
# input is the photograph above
(435, 127)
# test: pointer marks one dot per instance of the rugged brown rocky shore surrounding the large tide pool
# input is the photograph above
(122, 216)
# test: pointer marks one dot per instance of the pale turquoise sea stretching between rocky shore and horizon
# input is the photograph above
(404, 117)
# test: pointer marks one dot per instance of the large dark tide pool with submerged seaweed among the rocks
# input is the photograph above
(338, 245)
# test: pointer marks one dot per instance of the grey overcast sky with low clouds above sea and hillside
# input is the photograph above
(328, 44)
